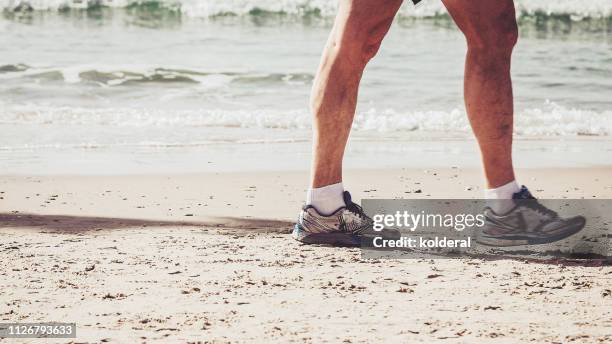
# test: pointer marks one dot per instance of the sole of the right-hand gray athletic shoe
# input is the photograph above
(518, 240)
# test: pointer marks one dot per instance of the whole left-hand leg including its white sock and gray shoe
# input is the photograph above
(330, 217)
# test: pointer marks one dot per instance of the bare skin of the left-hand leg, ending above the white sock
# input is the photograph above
(355, 38)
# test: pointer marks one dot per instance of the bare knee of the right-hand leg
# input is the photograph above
(498, 40)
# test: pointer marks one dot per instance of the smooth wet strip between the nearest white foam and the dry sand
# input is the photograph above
(412, 152)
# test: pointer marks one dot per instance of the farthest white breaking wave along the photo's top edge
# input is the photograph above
(565, 9)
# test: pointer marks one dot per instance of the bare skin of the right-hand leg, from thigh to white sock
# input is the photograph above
(491, 32)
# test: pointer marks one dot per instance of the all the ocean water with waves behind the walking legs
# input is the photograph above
(115, 86)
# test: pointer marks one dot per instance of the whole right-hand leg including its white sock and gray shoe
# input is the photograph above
(491, 33)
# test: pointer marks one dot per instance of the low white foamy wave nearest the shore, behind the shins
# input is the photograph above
(549, 120)
